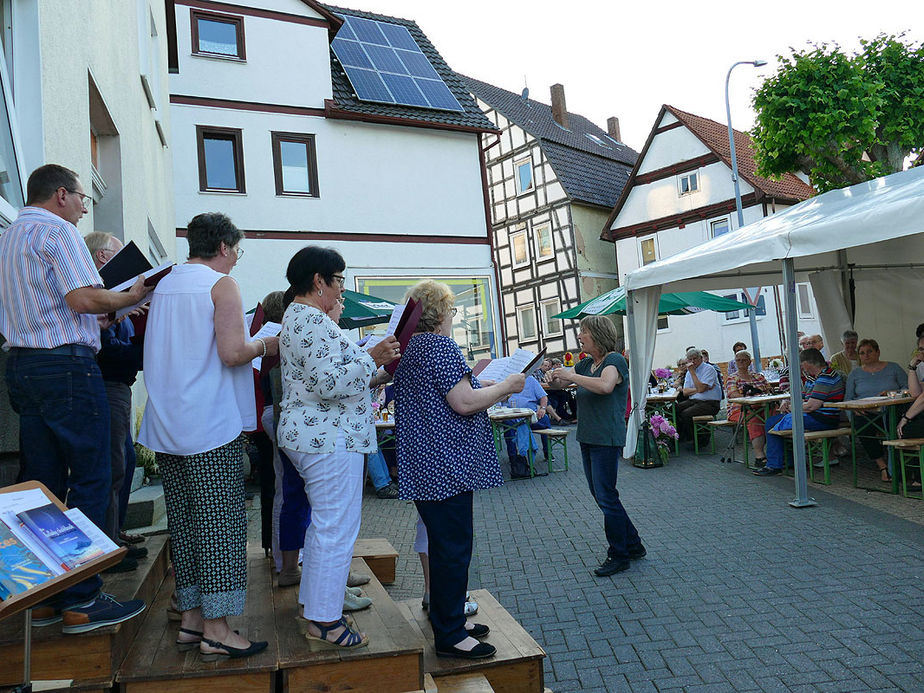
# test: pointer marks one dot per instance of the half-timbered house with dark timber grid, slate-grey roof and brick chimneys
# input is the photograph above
(553, 176)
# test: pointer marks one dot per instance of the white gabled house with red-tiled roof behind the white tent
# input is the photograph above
(680, 194)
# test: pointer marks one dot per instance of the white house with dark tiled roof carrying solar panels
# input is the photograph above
(268, 129)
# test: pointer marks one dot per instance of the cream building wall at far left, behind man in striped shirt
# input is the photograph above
(84, 85)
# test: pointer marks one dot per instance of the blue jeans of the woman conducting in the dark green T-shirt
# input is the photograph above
(601, 464)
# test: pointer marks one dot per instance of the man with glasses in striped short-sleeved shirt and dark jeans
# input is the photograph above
(50, 295)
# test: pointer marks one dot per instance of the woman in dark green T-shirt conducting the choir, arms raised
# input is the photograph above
(603, 386)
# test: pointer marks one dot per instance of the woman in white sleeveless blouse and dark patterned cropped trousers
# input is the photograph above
(200, 397)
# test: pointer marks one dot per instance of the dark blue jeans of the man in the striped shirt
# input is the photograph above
(64, 436)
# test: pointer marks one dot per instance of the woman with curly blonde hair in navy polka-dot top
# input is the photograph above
(445, 453)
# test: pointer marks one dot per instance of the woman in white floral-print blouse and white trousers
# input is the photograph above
(325, 427)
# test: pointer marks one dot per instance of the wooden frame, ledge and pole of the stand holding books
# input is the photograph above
(25, 601)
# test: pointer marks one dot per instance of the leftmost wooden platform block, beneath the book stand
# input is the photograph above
(87, 659)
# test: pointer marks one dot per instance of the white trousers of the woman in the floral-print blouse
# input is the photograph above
(333, 484)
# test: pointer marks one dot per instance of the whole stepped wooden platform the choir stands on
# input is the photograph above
(140, 655)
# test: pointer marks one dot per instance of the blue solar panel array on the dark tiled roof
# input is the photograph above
(384, 64)
